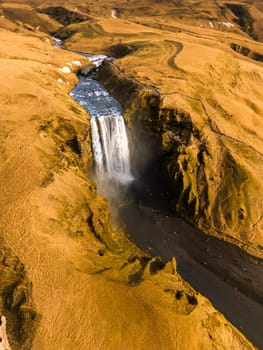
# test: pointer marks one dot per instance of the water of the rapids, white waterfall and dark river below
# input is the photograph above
(156, 230)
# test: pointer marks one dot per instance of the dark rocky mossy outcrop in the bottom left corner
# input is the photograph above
(16, 303)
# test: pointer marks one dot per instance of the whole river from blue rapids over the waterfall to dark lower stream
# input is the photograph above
(226, 275)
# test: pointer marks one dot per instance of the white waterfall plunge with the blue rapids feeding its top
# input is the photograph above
(109, 138)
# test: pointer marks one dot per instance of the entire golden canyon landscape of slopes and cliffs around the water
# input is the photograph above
(192, 101)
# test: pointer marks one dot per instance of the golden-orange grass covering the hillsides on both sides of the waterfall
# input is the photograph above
(88, 285)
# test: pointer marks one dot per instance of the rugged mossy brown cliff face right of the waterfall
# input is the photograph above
(214, 176)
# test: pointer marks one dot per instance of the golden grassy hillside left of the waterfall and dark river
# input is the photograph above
(86, 285)
